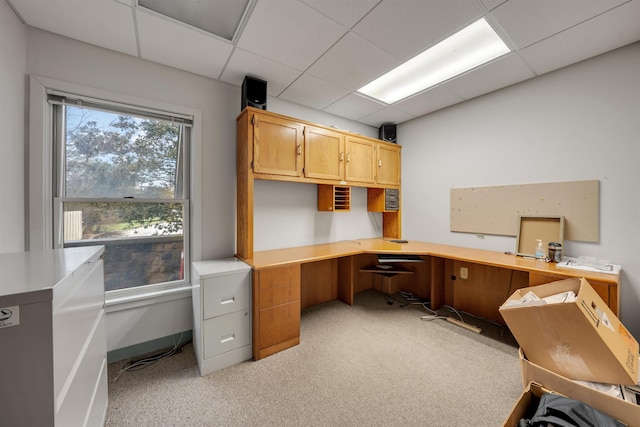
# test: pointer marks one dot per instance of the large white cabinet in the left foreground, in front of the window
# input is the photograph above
(52, 338)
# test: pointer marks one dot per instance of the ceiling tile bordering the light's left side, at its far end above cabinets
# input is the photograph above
(352, 63)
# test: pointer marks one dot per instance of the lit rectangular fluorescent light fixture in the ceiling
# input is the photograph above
(470, 47)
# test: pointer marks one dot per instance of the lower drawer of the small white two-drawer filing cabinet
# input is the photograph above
(226, 333)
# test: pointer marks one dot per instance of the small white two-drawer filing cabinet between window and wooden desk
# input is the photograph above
(222, 313)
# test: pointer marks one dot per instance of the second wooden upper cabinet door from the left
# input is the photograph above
(323, 154)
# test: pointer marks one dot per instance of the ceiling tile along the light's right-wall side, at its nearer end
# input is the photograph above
(507, 70)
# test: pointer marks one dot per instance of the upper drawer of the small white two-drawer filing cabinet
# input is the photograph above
(226, 294)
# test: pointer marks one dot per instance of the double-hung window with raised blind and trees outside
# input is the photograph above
(121, 180)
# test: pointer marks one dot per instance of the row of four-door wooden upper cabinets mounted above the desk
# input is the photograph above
(287, 149)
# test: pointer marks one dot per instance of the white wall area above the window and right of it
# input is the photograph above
(67, 60)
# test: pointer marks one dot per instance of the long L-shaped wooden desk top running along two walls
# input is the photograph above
(302, 254)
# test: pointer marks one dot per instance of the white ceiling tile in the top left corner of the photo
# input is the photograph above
(104, 23)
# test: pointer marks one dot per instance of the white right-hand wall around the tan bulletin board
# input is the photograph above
(578, 123)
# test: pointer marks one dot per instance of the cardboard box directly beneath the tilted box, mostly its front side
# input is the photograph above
(620, 409)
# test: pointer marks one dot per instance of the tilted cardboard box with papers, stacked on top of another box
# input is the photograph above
(580, 340)
